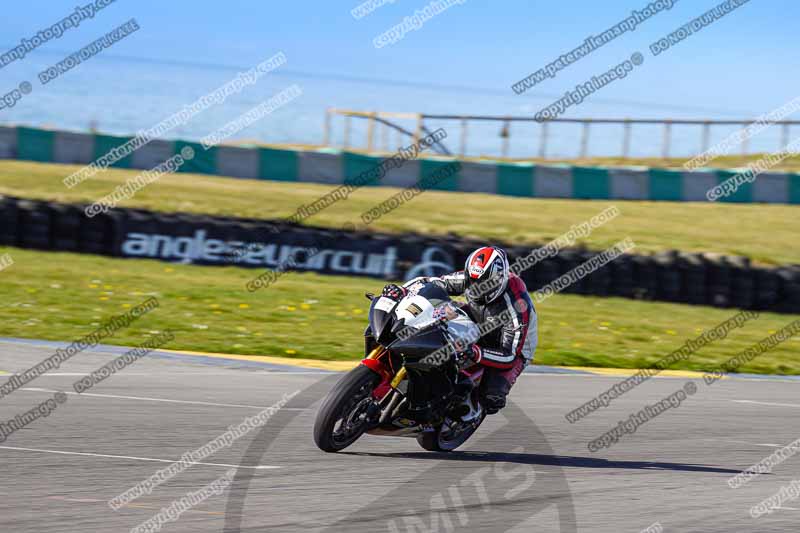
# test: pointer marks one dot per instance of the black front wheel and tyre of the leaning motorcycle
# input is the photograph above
(342, 418)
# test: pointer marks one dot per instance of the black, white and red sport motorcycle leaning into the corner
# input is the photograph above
(418, 381)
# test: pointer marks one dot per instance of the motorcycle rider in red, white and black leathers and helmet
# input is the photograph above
(491, 291)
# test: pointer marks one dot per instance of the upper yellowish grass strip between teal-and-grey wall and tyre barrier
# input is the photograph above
(765, 233)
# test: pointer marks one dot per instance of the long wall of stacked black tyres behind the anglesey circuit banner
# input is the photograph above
(693, 278)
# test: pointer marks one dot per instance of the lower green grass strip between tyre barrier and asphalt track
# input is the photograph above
(61, 296)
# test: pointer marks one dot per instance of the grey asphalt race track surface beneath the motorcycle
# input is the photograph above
(527, 469)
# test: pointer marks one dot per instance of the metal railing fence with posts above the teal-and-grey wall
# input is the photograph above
(381, 126)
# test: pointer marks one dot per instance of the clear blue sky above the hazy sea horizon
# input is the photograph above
(463, 60)
